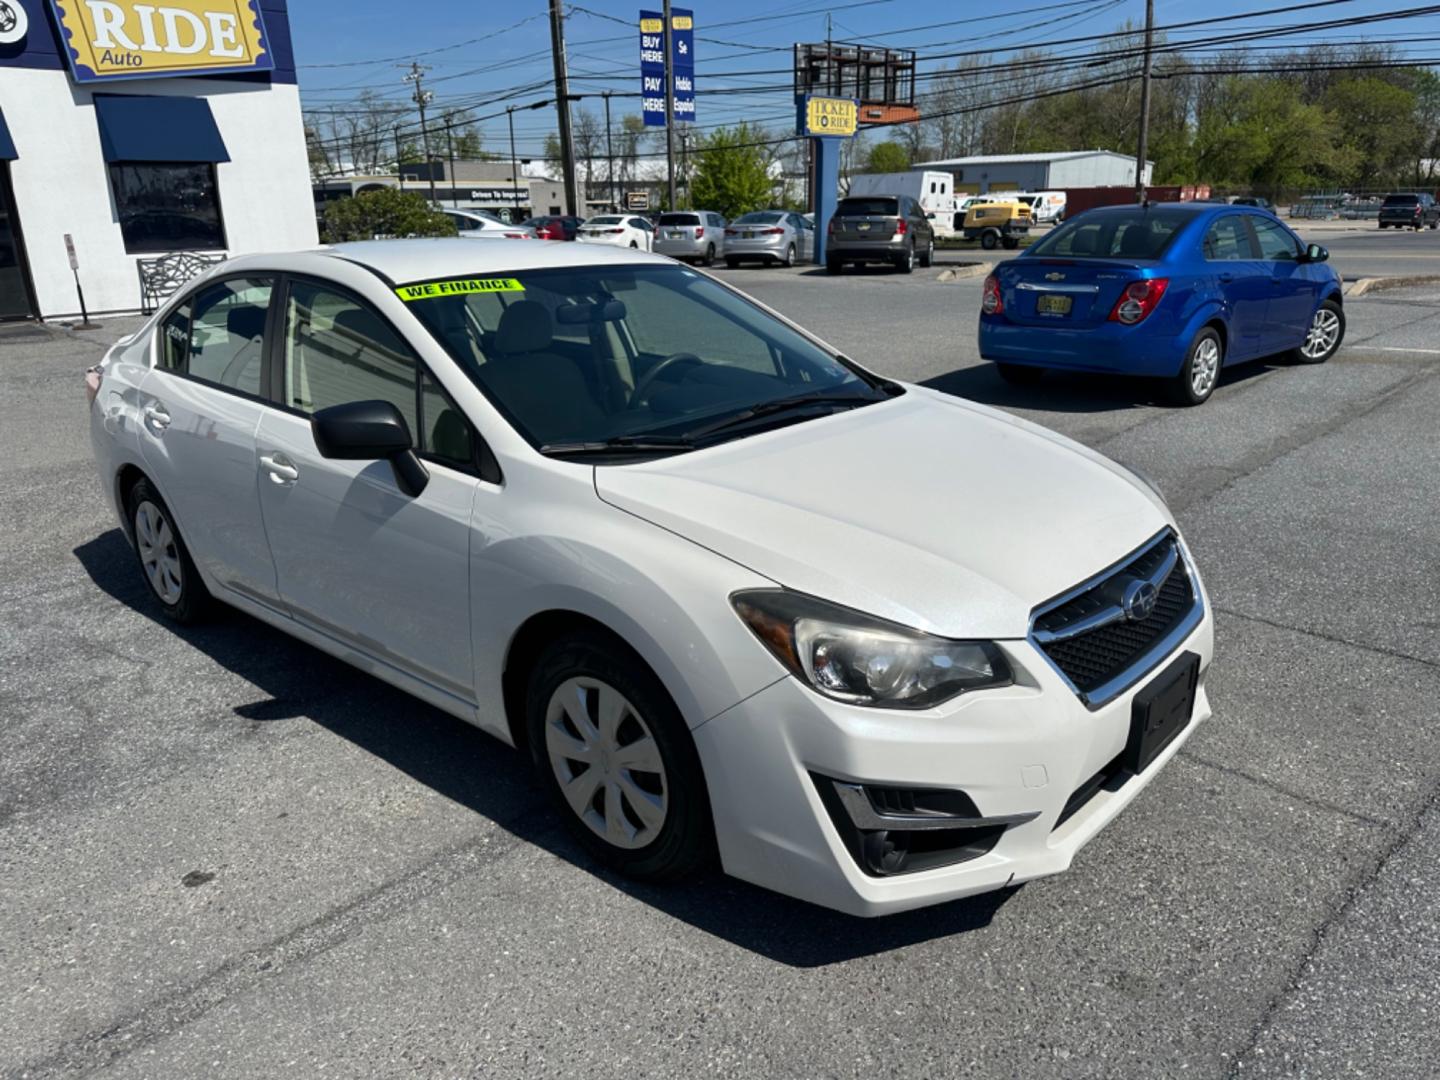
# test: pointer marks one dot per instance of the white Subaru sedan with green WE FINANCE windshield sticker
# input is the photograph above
(738, 597)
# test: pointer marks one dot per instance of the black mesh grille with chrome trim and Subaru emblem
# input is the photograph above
(1097, 646)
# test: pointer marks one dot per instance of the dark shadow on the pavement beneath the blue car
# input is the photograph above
(1078, 392)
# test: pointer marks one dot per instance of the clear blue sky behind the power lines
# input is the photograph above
(487, 55)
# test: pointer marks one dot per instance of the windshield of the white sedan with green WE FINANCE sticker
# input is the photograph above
(601, 355)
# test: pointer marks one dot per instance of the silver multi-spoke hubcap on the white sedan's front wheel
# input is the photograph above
(607, 762)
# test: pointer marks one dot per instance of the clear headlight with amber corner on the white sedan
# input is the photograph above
(868, 662)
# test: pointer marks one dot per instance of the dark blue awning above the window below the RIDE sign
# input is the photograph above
(145, 129)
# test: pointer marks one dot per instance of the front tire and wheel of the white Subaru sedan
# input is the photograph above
(617, 758)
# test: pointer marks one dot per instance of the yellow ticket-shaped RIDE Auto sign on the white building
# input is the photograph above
(130, 40)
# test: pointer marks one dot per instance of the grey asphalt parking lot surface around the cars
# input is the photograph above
(230, 856)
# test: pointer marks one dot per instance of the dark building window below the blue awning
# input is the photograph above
(165, 207)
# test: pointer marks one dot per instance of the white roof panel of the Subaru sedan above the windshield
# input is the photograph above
(453, 257)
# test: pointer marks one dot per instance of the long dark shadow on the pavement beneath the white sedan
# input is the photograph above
(495, 781)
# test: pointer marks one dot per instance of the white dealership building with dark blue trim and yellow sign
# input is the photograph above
(132, 133)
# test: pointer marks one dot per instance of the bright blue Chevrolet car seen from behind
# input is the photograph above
(1167, 290)
